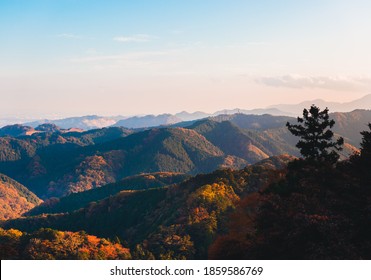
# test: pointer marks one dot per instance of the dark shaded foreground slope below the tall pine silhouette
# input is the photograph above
(317, 211)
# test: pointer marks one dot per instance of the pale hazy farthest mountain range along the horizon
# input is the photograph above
(93, 121)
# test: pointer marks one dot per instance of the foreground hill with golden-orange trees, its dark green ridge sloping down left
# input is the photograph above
(185, 215)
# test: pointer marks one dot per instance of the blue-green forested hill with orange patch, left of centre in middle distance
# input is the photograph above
(71, 166)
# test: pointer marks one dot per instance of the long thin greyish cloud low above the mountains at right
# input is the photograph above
(311, 82)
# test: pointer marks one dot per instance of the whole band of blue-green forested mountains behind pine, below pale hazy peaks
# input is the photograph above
(56, 162)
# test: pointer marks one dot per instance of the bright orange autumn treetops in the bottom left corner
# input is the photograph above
(48, 244)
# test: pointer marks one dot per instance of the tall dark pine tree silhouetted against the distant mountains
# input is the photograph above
(316, 135)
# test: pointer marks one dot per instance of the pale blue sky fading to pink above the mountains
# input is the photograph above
(108, 57)
